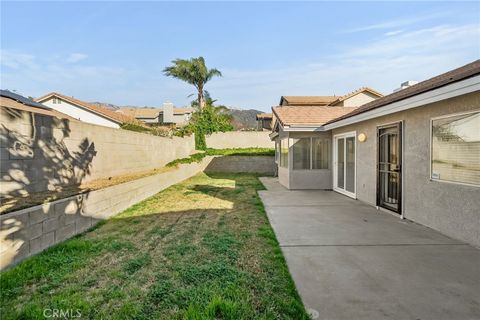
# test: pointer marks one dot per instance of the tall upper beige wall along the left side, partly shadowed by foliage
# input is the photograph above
(40, 152)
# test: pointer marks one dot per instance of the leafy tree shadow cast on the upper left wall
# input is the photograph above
(35, 157)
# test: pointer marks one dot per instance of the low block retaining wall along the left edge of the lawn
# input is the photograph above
(26, 232)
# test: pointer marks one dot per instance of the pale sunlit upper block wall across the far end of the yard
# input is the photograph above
(239, 139)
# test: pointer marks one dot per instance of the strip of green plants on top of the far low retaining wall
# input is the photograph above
(197, 157)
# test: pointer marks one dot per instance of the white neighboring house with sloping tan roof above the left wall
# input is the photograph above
(84, 111)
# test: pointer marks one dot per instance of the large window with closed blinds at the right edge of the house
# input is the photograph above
(455, 153)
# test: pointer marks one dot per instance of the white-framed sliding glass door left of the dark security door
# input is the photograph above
(344, 163)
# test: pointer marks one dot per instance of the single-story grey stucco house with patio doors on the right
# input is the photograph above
(414, 153)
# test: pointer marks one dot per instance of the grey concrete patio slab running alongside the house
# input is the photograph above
(351, 261)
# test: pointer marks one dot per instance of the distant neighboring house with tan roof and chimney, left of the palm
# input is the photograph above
(168, 114)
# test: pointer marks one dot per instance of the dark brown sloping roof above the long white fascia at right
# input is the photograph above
(466, 71)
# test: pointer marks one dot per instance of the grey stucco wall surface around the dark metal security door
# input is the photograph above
(452, 209)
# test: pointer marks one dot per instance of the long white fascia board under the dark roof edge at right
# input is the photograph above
(446, 92)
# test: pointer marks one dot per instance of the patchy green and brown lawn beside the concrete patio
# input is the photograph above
(202, 249)
